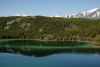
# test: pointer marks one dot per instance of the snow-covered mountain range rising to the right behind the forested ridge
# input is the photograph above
(91, 14)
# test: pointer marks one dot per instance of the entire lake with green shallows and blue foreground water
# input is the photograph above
(28, 53)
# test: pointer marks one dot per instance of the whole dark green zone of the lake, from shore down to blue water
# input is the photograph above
(40, 48)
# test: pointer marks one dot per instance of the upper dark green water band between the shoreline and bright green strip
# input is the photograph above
(42, 43)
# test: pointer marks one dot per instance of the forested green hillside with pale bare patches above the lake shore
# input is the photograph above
(49, 28)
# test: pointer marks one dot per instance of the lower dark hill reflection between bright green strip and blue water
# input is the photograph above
(46, 52)
